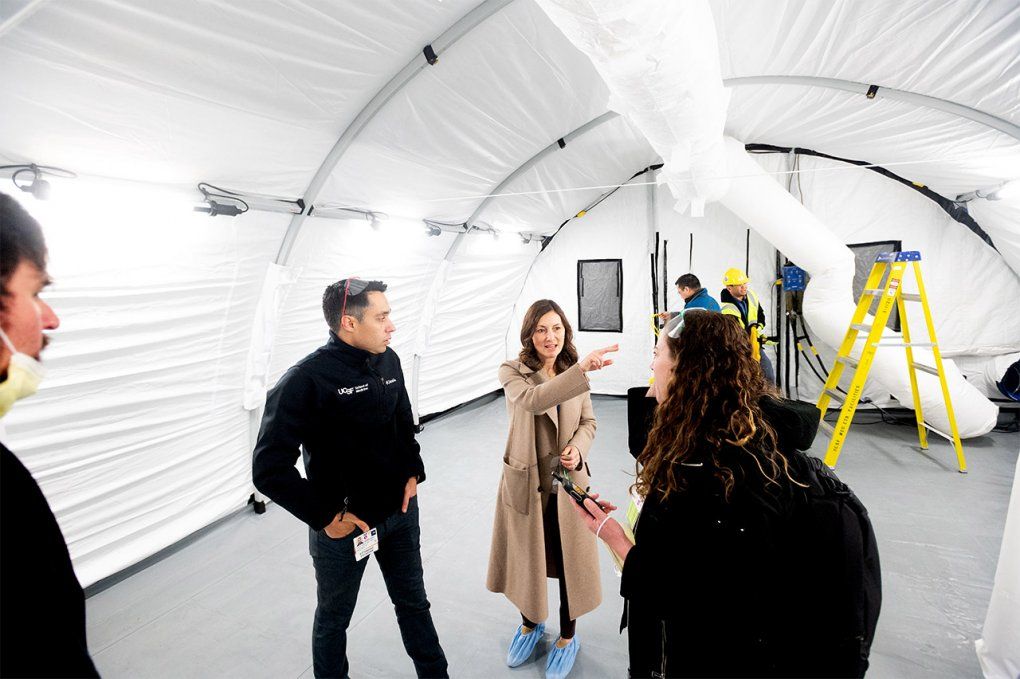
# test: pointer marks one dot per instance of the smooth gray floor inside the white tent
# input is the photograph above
(239, 601)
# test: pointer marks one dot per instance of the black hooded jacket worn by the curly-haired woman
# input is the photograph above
(721, 589)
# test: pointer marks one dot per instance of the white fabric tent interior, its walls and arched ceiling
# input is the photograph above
(470, 154)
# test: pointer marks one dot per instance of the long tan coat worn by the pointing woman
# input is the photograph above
(518, 559)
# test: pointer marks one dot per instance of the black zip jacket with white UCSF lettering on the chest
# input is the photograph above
(348, 410)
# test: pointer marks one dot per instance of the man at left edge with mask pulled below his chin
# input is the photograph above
(42, 606)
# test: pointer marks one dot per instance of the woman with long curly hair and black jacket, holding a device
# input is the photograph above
(725, 579)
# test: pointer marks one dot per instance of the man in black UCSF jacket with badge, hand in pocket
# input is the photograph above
(346, 408)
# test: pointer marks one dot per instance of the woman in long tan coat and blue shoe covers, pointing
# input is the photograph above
(537, 535)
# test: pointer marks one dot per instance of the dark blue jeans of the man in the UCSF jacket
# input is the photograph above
(338, 578)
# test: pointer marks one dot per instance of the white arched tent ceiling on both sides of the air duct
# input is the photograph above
(252, 96)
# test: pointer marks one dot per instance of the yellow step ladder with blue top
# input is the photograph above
(889, 294)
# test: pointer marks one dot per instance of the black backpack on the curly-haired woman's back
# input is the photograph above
(839, 558)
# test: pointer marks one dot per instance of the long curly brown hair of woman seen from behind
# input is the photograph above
(711, 414)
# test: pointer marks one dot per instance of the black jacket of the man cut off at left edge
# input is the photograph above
(42, 607)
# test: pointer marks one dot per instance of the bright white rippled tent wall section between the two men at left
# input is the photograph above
(138, 438)
